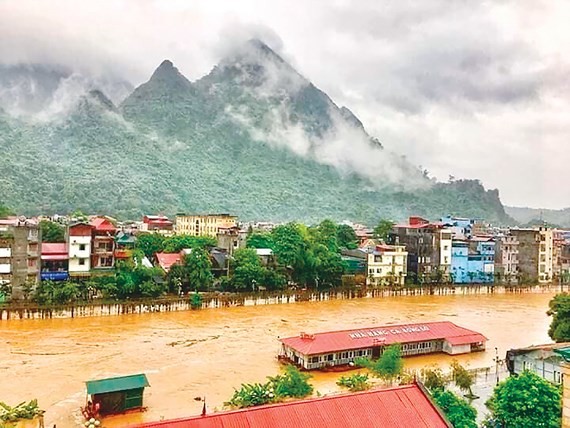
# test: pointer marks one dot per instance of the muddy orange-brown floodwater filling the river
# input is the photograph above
(207, 353)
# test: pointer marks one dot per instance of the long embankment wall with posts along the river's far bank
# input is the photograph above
(14, 311)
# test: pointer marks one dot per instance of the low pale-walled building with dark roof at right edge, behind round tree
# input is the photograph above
(543, 360)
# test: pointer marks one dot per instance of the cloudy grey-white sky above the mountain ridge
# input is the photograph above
(463, 88)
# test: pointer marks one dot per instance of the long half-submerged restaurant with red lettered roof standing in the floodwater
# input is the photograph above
(337, 348)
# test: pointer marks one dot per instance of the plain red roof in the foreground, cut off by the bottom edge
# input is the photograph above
(403, 406)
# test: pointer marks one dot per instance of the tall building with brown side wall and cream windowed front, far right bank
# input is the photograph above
(535, 254)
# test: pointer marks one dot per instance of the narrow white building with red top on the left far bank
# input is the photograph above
(79, 243)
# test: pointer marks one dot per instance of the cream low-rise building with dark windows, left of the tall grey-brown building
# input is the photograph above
(386, 265)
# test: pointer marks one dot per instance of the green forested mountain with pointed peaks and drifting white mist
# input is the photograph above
(253, 137)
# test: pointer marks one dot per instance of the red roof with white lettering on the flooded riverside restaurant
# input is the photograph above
(321, 343)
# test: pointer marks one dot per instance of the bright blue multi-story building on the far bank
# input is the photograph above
(473, 260)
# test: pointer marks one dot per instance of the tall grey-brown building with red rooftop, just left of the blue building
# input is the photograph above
(423, 242)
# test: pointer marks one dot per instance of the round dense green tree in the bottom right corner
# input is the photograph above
(525, 401)
